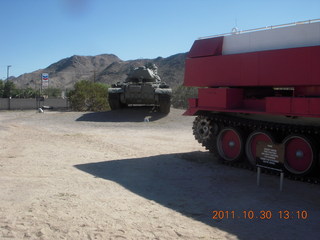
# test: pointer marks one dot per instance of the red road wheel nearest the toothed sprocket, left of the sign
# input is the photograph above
(230, 144)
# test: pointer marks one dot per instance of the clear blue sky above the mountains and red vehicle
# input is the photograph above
(37, 33)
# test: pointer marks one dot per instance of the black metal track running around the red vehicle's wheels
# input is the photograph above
(279, 131)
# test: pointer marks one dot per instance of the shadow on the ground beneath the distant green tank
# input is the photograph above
(130, 114)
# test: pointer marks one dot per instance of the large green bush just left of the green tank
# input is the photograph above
(89, 96)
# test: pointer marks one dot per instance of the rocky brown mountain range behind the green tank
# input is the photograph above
(105, 68)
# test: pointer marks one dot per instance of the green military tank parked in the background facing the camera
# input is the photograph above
(142, 87)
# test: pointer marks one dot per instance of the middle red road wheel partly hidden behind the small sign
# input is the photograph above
(251, 144)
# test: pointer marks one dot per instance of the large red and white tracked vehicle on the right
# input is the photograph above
(261, 85)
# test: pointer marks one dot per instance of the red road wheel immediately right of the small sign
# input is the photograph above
(299, 156)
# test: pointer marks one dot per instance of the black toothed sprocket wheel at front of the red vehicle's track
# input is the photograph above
(205, 132)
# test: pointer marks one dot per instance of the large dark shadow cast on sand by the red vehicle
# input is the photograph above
(194, 187)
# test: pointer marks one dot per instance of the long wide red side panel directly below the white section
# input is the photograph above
(285, 67)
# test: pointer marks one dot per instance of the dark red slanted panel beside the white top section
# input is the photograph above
(206, 47)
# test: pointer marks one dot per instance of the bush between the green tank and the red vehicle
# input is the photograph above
(181, 94)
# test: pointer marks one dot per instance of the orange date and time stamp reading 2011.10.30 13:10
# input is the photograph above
(261, 214)
